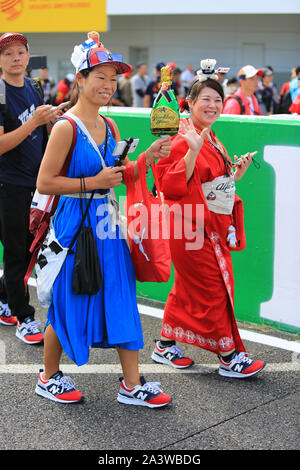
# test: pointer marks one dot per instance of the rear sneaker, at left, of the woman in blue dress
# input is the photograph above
(58, 388)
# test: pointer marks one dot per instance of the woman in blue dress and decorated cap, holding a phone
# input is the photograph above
(109, 318)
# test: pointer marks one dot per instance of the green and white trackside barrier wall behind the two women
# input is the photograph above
(267, 274)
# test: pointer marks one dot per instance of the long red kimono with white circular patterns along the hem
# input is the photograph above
(200, 307)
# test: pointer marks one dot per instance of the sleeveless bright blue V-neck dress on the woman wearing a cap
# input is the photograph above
(109, 318)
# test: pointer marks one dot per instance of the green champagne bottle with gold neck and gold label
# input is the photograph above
(165, 114)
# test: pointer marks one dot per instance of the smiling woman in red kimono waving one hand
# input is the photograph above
(199, 174)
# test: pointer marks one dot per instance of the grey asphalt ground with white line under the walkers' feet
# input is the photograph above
(208, 412)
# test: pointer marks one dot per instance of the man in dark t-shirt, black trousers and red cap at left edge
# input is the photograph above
(23, 117)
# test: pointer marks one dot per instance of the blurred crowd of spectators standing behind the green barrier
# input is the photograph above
(256, 87)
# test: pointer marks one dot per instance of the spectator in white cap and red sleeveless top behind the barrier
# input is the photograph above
(243, 101)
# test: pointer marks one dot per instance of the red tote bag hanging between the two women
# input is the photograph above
(147, 228)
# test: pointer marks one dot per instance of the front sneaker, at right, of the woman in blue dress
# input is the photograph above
(148, 394)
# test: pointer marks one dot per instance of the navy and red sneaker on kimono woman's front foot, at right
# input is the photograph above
(240, 366)
